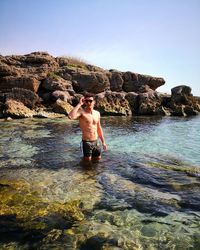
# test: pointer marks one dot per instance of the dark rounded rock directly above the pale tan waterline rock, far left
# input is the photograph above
(25, 96)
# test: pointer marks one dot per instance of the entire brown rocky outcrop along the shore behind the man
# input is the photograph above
(40, 85)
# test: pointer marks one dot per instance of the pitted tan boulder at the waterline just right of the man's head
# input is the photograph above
(112, 103)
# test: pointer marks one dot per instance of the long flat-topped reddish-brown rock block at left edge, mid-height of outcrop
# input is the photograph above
(26, 82)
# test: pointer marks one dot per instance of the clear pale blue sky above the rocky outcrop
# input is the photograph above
(155, 37)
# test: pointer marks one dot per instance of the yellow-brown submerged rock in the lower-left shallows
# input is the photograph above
(31, 212)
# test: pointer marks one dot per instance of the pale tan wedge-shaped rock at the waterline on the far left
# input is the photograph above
(17, 109)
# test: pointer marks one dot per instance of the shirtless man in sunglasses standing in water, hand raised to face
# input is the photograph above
(89, 122)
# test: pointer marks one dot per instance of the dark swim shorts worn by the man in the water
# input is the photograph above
(90, 148)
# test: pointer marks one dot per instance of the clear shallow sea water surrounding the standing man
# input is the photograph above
(143, 194)
